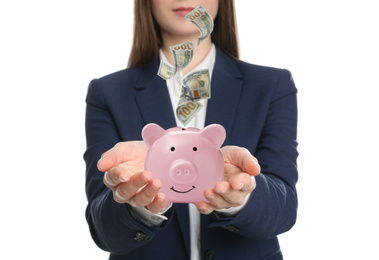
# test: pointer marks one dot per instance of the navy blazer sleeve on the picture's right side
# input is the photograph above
(272, 206)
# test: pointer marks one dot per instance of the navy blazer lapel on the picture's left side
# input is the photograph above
(153, 98)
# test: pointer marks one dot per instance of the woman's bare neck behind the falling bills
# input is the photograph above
(200, 52)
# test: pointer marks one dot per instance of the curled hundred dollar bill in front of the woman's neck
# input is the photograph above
(182, 55)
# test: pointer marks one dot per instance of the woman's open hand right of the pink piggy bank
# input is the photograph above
(238, 182)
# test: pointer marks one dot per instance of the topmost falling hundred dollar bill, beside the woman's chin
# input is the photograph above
(204, 22)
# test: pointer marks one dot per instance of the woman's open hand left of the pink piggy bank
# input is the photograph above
(125, 176)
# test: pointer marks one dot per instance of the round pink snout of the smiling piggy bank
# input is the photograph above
(182, 172)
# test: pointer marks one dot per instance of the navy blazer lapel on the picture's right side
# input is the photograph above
(226, 85)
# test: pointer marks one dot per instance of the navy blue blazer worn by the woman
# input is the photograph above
(258, 108)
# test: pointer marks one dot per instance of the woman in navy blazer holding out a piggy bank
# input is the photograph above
(256, 105)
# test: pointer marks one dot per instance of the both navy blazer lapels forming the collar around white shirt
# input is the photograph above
(226, 84)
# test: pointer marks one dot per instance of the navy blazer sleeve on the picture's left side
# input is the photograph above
(112, 226)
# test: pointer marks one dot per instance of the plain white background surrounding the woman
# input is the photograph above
(50, 50)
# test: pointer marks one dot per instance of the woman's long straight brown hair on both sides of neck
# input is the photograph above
(147, 37)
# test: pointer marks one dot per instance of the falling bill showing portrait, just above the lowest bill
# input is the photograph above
(196, 86)
